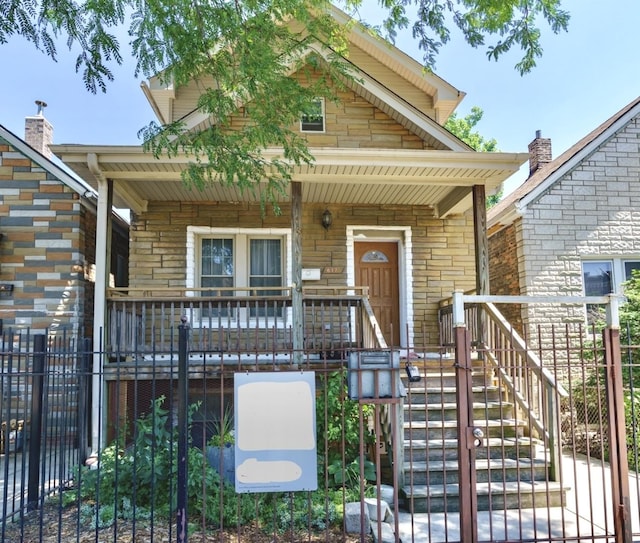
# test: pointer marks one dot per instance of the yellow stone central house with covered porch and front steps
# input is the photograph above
(372, 238)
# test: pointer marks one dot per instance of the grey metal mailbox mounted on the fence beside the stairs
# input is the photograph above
(371, 369)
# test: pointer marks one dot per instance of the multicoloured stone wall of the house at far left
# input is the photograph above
(41, 252)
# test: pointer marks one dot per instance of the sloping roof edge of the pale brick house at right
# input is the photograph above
(509, 208)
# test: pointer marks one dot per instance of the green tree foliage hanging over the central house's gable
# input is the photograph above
(241, 55)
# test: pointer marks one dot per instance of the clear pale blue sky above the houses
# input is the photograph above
(584, 76)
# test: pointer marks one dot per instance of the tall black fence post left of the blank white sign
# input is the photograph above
(183, 391)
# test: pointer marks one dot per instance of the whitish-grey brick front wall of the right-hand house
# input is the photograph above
(592, 212)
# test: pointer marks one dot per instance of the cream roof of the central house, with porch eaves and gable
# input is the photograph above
(442, 176)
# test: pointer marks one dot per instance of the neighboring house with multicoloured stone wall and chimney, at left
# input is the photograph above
(47, 243)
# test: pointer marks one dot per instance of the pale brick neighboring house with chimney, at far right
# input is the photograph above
(573, 227)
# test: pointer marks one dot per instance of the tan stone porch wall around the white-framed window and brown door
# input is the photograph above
(443, 253)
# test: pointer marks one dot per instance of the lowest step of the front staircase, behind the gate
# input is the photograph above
(490, 496)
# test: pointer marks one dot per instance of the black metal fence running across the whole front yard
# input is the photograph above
(164, 470)
